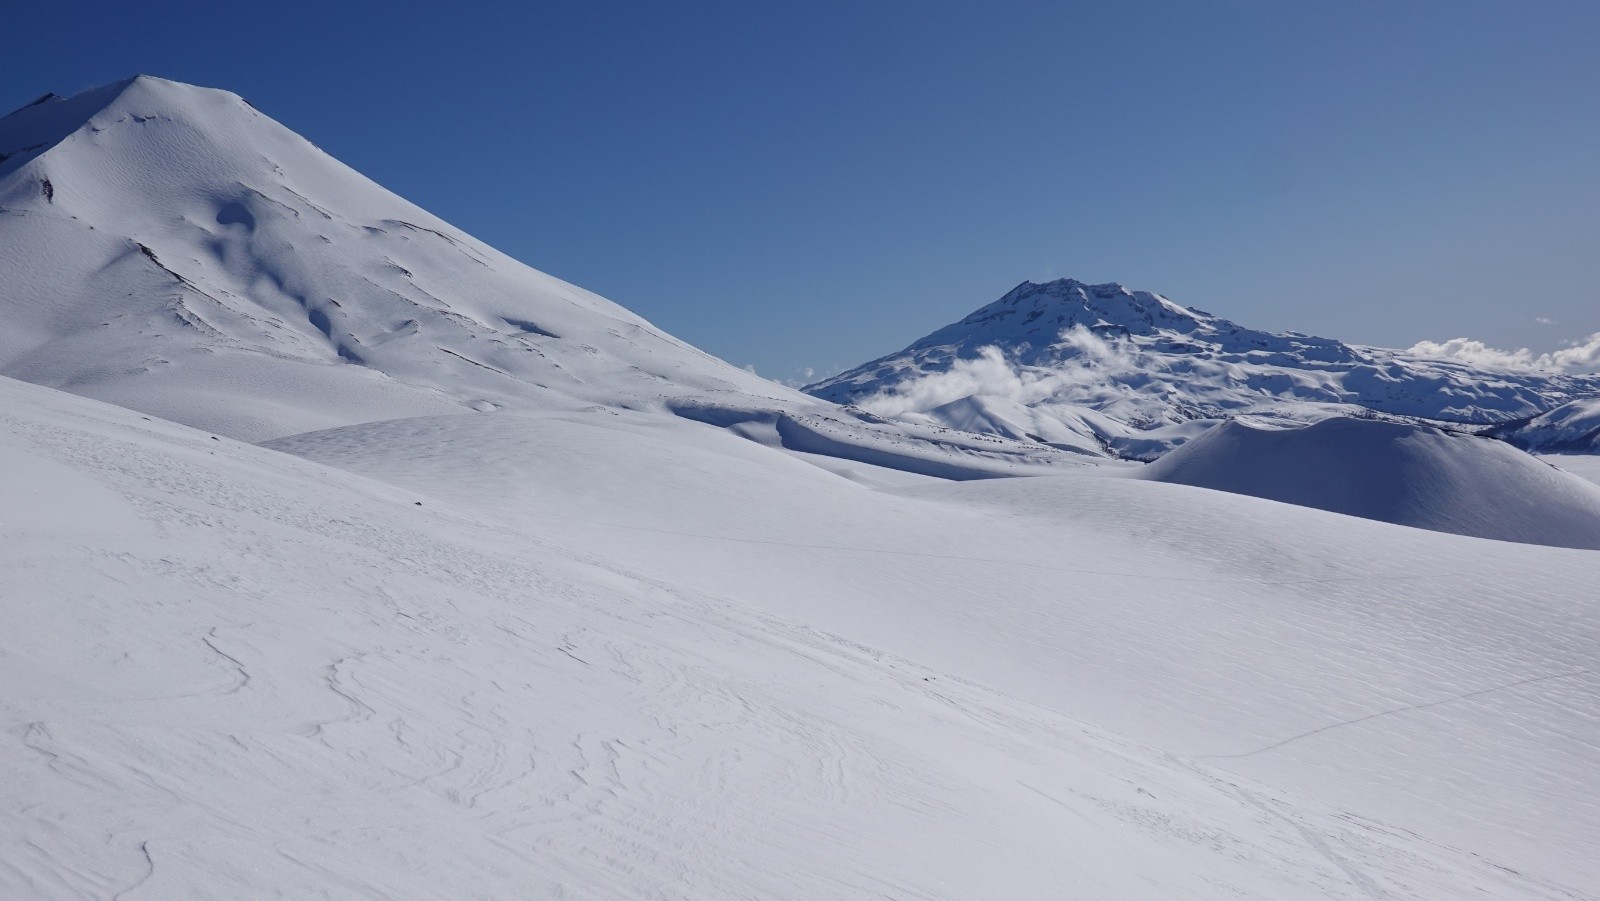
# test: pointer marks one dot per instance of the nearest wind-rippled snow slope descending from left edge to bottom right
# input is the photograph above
(230, 673)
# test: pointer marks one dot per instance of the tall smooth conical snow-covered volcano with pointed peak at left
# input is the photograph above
(174, 250)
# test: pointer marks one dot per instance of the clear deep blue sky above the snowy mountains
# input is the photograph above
(815, 185)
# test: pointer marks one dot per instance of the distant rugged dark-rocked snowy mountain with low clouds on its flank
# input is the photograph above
(1135, 375)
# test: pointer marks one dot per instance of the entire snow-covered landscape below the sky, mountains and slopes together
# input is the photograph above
(343, 556)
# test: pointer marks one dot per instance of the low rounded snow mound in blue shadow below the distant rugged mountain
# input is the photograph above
(1394, 473)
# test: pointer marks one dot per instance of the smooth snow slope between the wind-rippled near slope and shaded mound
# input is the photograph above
(1426, 681)
